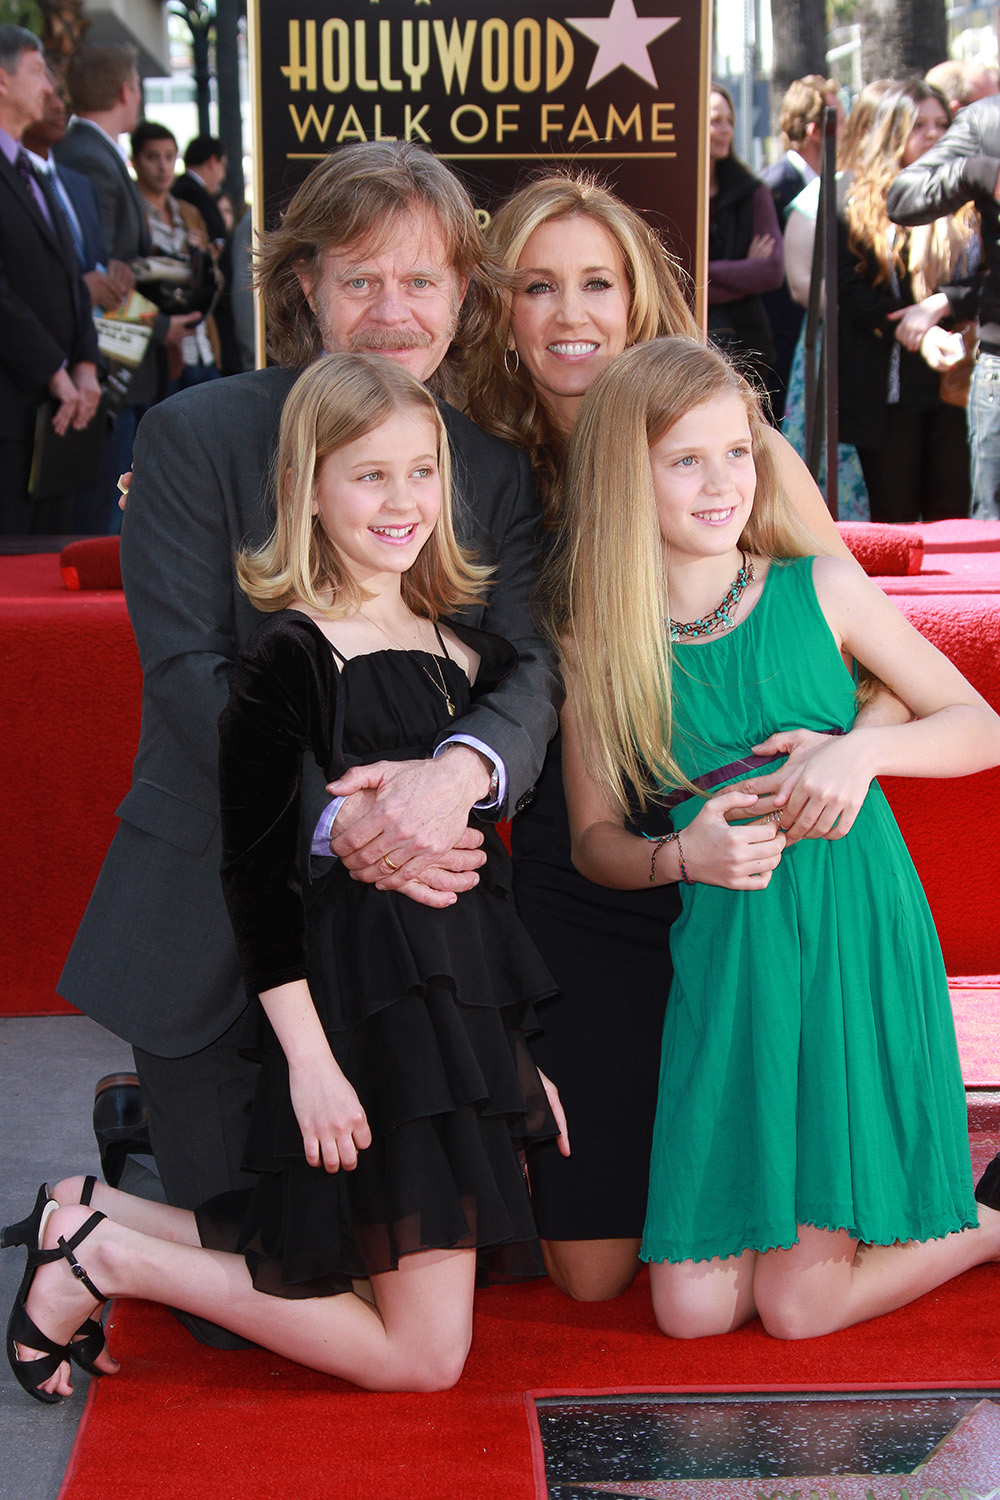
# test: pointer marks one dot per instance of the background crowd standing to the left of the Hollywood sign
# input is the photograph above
(92, 236)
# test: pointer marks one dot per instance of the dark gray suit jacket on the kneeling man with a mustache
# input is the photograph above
(155, 959)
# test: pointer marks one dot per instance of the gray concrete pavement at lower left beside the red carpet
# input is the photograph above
(49, 1069)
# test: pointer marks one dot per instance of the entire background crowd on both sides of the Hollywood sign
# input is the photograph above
(909, 299)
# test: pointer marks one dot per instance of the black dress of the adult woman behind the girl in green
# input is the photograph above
(609, 952)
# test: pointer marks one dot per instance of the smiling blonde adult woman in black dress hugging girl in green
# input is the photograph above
(591, 280)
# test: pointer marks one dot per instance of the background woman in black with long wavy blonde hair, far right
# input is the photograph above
(894, 287)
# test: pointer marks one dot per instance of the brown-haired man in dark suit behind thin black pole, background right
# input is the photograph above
(803, 136)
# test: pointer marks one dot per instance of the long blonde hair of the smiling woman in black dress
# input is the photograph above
(507, 404)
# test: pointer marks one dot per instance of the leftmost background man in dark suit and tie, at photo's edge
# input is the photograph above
(49, 346)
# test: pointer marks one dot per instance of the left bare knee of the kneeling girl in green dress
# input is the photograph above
(699, 1298)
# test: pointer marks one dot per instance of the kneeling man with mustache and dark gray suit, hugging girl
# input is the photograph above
(379, 251)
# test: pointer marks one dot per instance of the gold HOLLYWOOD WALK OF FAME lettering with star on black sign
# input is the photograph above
(484, 59)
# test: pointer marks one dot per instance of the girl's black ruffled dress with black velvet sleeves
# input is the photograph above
(427, 1010)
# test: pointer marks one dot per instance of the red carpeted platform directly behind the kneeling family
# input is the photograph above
(71, 695)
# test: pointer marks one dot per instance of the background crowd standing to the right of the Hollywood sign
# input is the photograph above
(909, 299)
